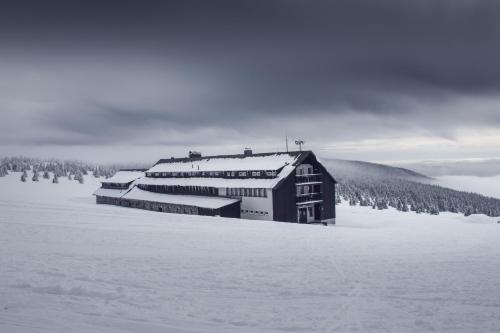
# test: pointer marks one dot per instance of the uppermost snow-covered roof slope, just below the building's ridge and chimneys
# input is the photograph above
(224, 163)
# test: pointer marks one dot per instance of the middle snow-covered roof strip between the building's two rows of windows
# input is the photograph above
(219, 182)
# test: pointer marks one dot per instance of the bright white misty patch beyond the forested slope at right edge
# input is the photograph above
(489, 186)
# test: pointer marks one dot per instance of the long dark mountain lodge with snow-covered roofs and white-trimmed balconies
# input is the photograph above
(284, 186)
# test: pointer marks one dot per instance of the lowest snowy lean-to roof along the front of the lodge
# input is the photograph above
(178, 199)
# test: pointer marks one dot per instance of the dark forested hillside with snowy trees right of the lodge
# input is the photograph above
(381, 186)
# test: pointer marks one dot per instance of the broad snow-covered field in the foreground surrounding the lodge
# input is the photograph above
(68, 265)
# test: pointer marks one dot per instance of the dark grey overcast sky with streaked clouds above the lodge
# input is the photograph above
(139, 80)
